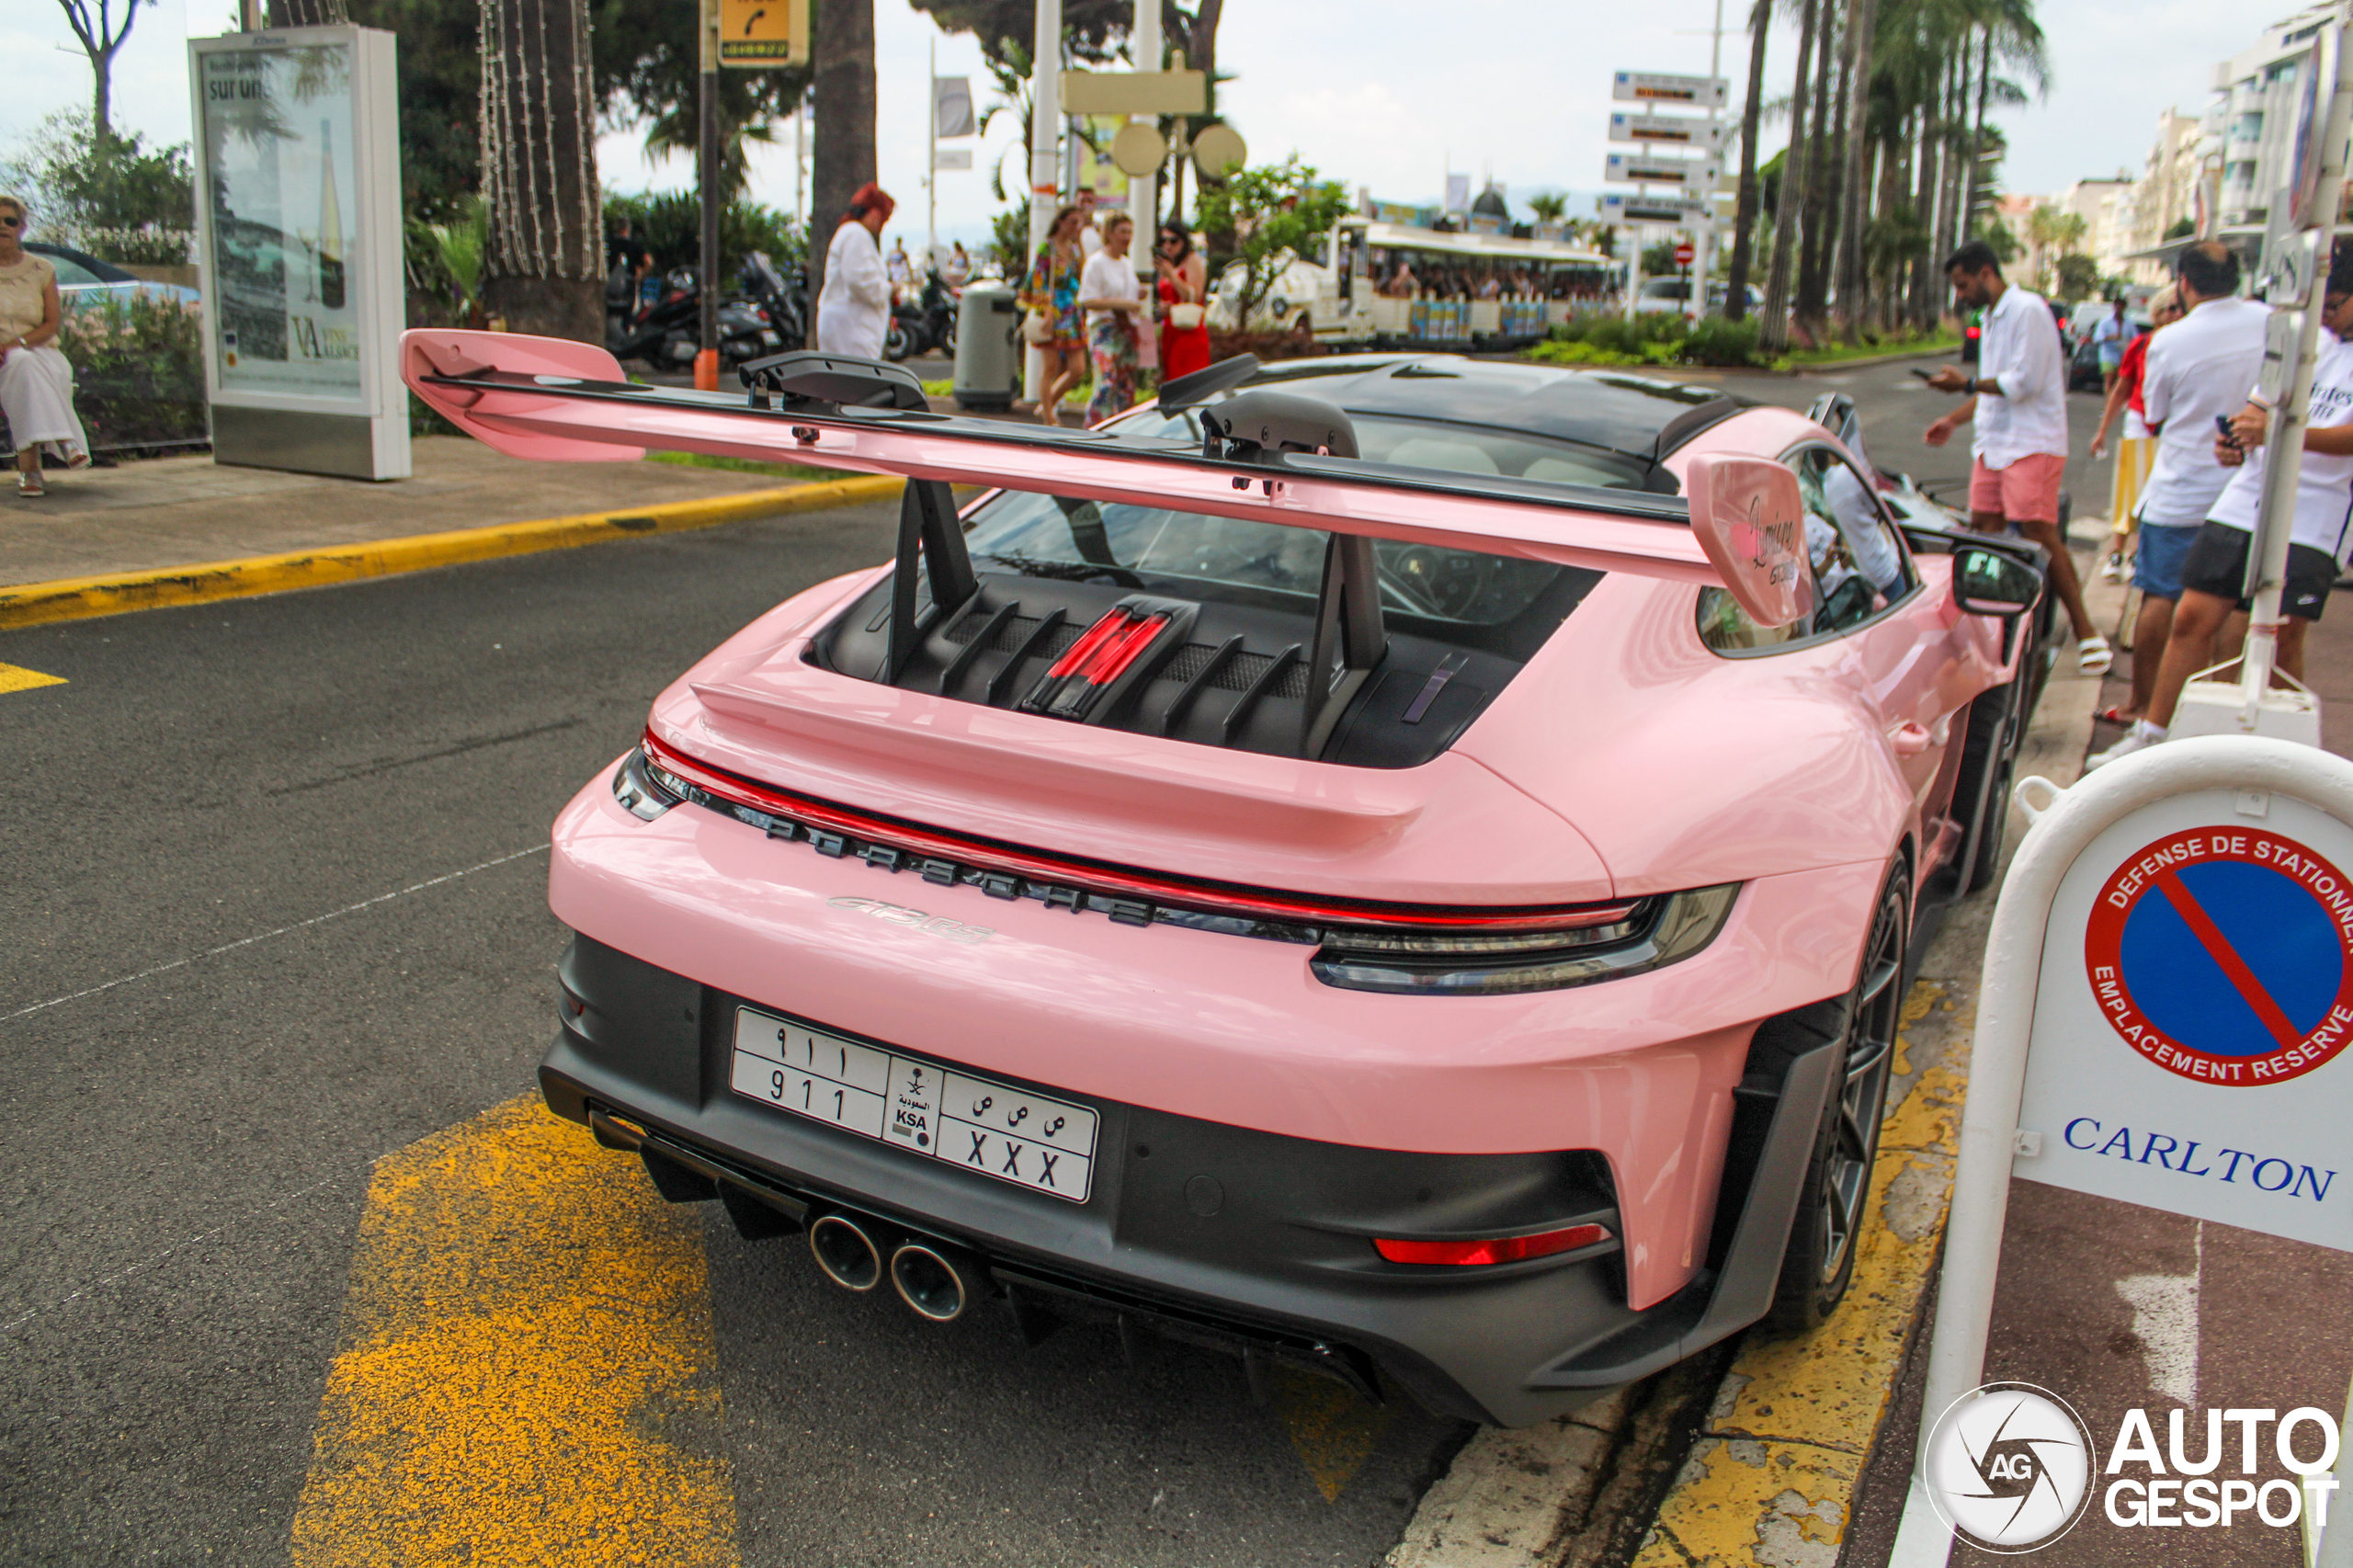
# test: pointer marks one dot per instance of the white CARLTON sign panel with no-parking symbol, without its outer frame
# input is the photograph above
(2192, 1044)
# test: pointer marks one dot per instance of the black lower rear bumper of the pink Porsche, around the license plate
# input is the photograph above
(1201, 1230)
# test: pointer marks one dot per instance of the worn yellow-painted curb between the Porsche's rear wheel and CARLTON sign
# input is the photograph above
(1775, 1468)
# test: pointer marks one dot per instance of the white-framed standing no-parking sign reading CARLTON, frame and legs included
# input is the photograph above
(2131, 1039)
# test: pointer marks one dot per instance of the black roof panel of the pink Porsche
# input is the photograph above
(1632, 416)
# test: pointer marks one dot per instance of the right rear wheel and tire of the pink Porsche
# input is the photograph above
(1834, 1204)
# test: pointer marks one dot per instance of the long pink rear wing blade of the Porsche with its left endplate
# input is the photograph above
(1611, 531)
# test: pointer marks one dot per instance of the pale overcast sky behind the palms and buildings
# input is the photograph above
(1364, 91)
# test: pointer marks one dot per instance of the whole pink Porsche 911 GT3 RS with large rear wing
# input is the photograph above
(1397, 865)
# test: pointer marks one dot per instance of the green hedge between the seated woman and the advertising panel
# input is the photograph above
(138, 373)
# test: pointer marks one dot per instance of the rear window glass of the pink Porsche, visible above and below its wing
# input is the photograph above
(1044, 536)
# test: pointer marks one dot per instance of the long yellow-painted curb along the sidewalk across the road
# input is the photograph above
(74, 599)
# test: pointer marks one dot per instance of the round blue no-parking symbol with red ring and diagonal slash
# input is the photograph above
(2227, 957)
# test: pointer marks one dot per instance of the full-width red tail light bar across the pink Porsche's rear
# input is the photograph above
(916, 849)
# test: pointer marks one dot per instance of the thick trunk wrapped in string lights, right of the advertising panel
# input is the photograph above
(547, 241)
